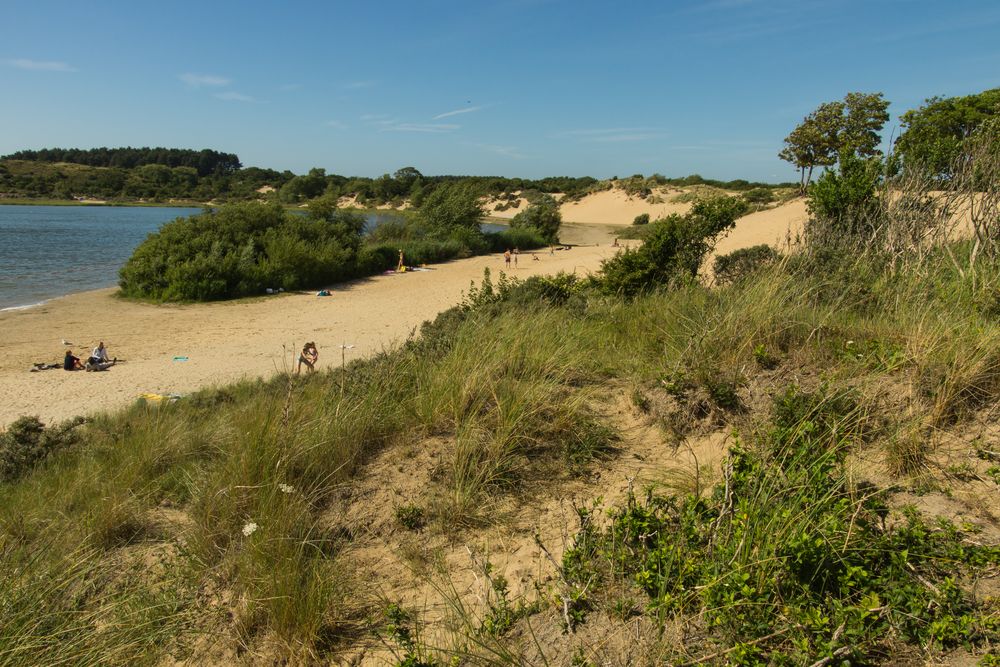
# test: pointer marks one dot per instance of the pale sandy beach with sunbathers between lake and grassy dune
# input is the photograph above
(224, 342)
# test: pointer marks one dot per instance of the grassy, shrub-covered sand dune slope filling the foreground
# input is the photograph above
(814, 434)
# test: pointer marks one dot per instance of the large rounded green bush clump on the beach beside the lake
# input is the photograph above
(244, 249)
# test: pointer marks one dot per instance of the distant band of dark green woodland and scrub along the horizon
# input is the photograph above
(172, 174)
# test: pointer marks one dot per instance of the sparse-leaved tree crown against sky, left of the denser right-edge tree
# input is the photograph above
(851, 126)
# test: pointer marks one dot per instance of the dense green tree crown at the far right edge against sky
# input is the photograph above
(933, 134)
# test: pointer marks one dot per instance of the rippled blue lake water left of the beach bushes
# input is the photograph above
(51, 251)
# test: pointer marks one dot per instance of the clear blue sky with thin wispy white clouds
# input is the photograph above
(514, 87)
